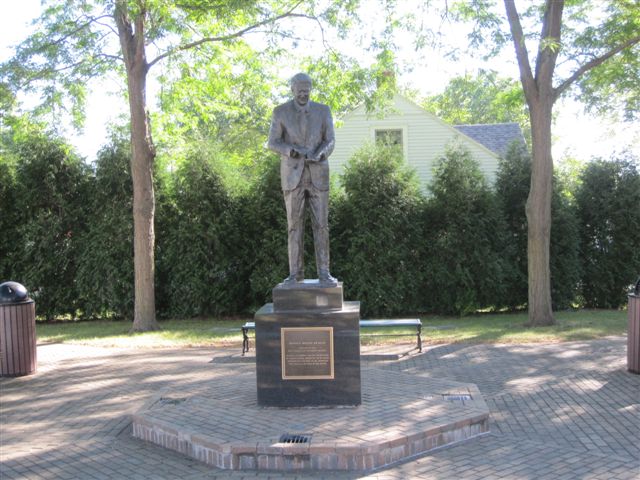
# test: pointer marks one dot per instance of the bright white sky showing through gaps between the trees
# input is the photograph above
(576, 134)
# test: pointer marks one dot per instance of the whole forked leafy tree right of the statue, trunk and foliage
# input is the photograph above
(591, 55)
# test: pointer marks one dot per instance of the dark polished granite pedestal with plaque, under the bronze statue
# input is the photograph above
(308, 347)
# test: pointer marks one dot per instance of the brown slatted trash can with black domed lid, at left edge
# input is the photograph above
(17, 331)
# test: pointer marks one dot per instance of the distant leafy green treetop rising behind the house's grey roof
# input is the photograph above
(485, 98)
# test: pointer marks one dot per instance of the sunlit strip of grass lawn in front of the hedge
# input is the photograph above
(481, 328)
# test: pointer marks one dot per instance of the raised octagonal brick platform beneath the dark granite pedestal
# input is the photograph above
(218, 421)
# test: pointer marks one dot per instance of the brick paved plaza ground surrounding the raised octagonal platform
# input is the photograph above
(560, 411)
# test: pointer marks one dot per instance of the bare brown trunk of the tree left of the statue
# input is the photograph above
(142, 158)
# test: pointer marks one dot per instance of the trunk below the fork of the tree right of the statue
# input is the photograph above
(538, 211)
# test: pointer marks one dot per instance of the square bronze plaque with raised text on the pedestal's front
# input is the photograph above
(307, 353)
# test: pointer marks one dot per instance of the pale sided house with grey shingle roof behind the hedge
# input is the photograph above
(423, 138)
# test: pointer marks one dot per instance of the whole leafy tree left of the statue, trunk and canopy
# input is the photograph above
(73, 41)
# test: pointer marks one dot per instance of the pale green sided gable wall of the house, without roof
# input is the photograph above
(424, 138)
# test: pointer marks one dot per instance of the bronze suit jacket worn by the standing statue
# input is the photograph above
(309, 128)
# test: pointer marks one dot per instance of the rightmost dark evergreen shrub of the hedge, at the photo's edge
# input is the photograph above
(609, 220)
